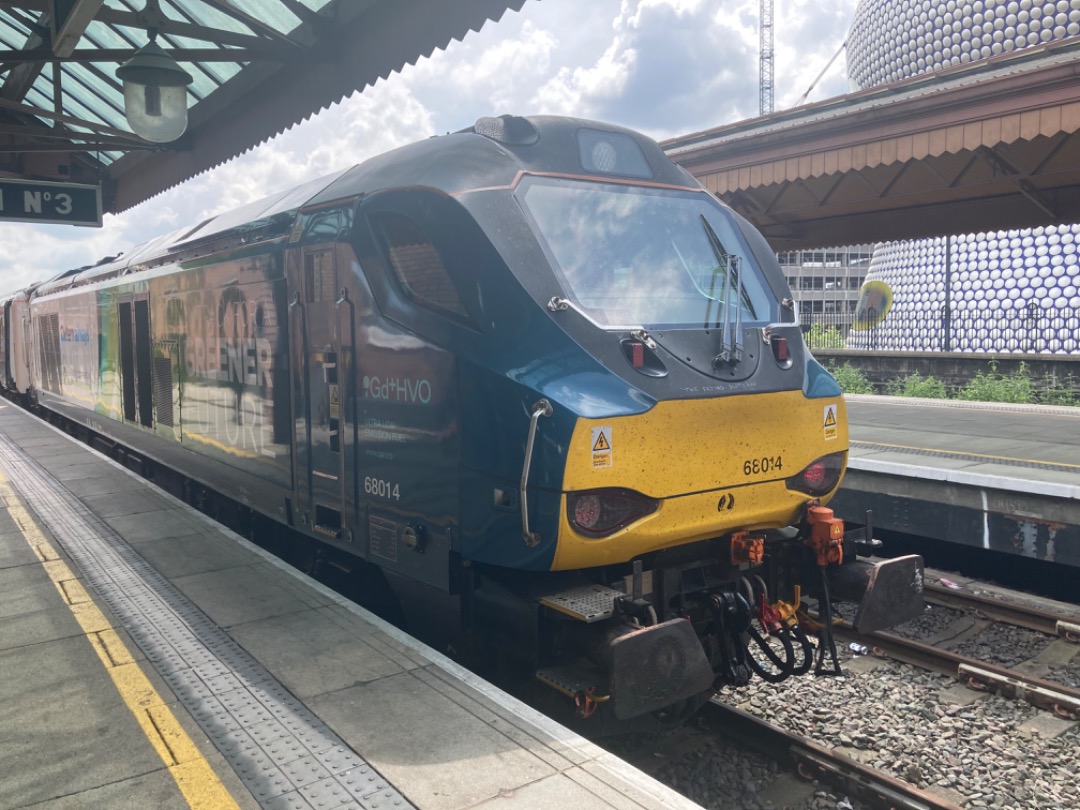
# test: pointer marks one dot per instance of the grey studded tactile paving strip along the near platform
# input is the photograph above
(285, 755)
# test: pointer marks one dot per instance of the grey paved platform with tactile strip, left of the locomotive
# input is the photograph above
(151, 658)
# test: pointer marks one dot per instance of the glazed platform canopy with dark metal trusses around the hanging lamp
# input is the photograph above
(259, 67)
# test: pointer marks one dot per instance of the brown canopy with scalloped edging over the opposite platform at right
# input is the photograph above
(991, 145)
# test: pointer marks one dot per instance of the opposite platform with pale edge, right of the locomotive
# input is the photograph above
(990, 476)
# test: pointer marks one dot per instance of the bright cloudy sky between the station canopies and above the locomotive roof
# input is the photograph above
(664, 67)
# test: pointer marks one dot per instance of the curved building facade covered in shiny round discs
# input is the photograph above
(998, 292)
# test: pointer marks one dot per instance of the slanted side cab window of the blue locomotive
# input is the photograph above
(417, 265)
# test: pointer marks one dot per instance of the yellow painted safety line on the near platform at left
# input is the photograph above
(194, 775)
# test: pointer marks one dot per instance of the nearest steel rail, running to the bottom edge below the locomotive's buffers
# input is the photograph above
(813, 761)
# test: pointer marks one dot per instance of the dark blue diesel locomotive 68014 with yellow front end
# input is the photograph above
(532, 369)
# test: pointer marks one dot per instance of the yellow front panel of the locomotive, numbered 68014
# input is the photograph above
(715, 465)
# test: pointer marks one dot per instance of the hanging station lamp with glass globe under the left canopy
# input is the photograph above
(156, 96)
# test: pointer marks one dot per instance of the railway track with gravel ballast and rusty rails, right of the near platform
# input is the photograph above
(889, 748)
